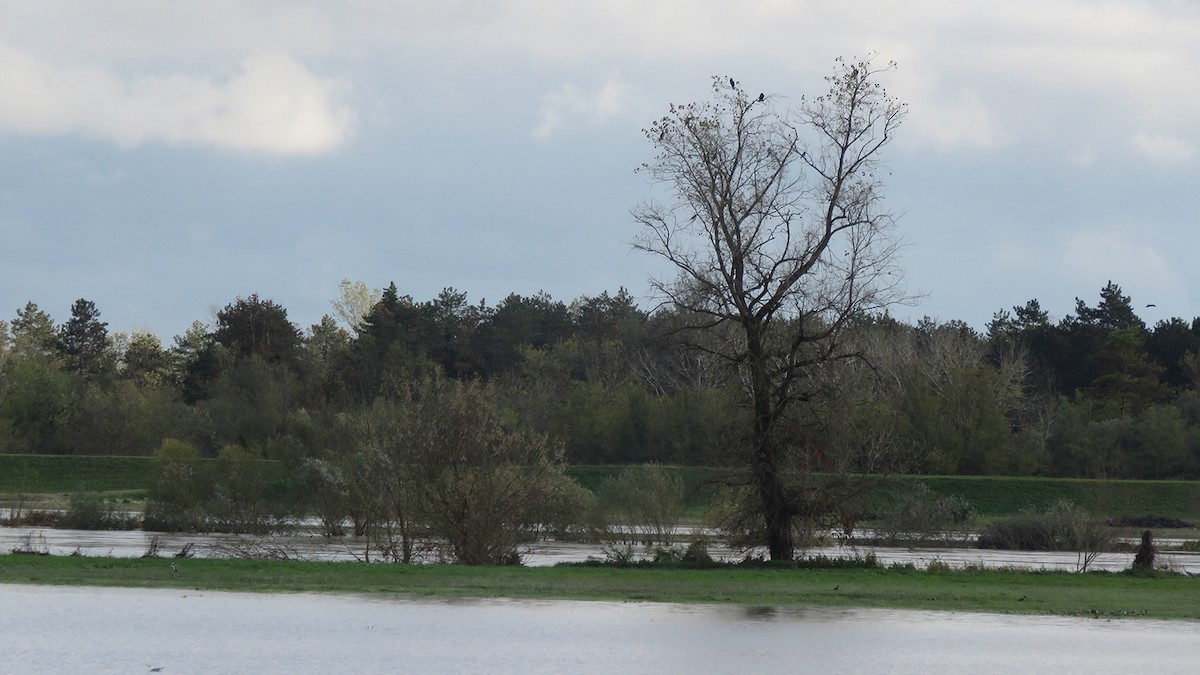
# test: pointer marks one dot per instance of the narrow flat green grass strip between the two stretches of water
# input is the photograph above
(1058, 594)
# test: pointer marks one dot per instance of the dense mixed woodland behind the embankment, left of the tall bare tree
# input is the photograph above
(586, 373)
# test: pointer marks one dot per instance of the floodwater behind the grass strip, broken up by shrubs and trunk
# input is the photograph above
(311, 547)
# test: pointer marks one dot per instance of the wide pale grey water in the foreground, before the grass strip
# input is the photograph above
(77, 630)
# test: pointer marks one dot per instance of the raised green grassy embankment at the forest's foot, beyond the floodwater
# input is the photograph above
(989, 497)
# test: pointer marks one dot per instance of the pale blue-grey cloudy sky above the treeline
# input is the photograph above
(163, 159)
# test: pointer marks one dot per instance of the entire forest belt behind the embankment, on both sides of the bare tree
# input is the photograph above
(1096, 395)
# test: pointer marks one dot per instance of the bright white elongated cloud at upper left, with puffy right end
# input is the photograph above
(272, 105)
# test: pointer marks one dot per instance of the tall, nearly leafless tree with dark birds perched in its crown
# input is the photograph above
(779, 238)
